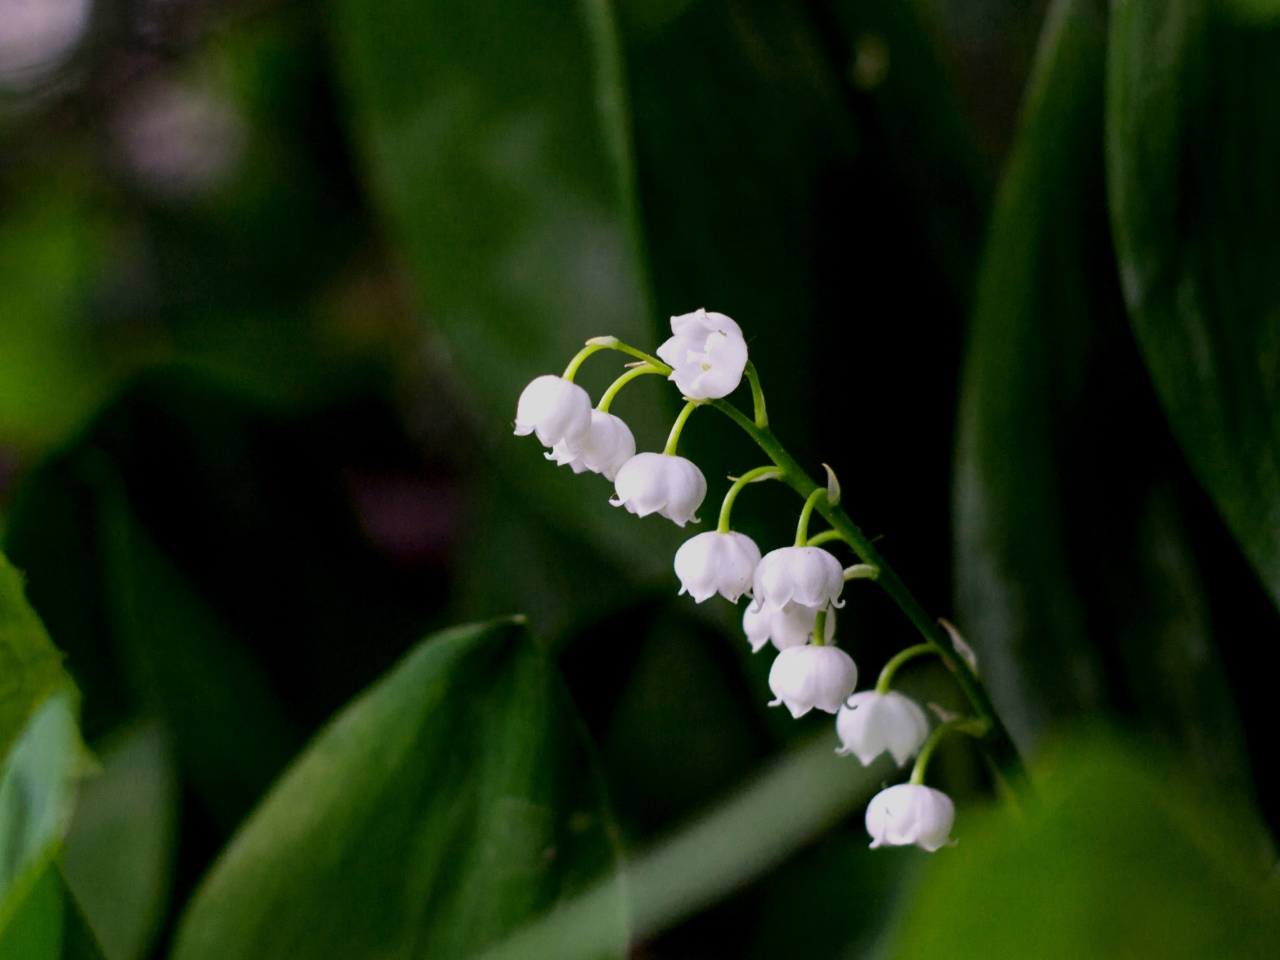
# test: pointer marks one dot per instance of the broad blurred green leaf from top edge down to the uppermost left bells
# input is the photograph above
(505, 172)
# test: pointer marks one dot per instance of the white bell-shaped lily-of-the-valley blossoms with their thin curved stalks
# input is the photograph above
(794, 592)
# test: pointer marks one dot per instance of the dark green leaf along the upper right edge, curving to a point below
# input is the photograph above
(1192, 156)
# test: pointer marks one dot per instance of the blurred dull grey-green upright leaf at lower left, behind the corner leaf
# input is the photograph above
(121, 845)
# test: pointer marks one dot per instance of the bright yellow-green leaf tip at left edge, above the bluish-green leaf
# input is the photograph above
(31, 669)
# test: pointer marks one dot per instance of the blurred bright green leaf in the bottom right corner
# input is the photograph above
(1116, 858)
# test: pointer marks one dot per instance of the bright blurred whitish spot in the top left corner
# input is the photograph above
(38, 36)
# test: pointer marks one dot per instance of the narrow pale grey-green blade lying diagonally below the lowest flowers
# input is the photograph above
(801, 797)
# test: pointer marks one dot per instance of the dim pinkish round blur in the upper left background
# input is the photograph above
(179, 141)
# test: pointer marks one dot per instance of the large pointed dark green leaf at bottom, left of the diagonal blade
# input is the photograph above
(444, 808)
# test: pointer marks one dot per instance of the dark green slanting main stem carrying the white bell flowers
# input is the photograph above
(996, 742)
